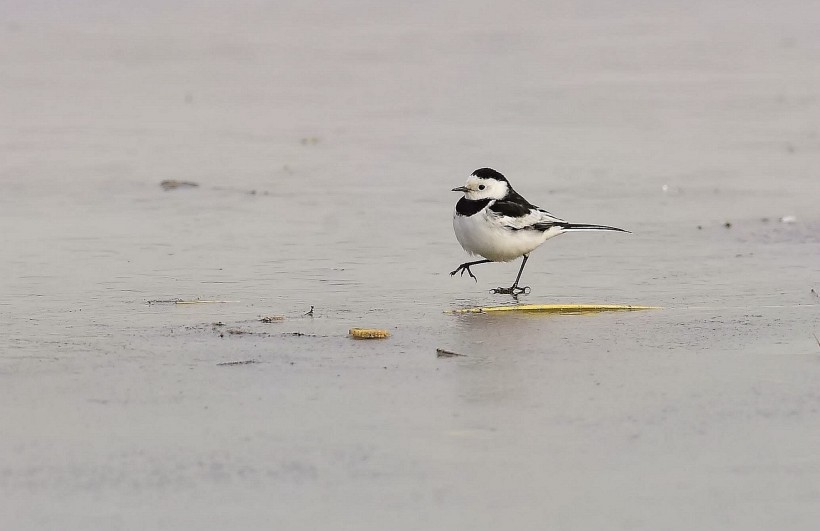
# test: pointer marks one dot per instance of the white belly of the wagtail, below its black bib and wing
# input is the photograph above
(479, 234)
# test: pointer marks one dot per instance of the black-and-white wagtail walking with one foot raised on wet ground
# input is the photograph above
(492, 220)
